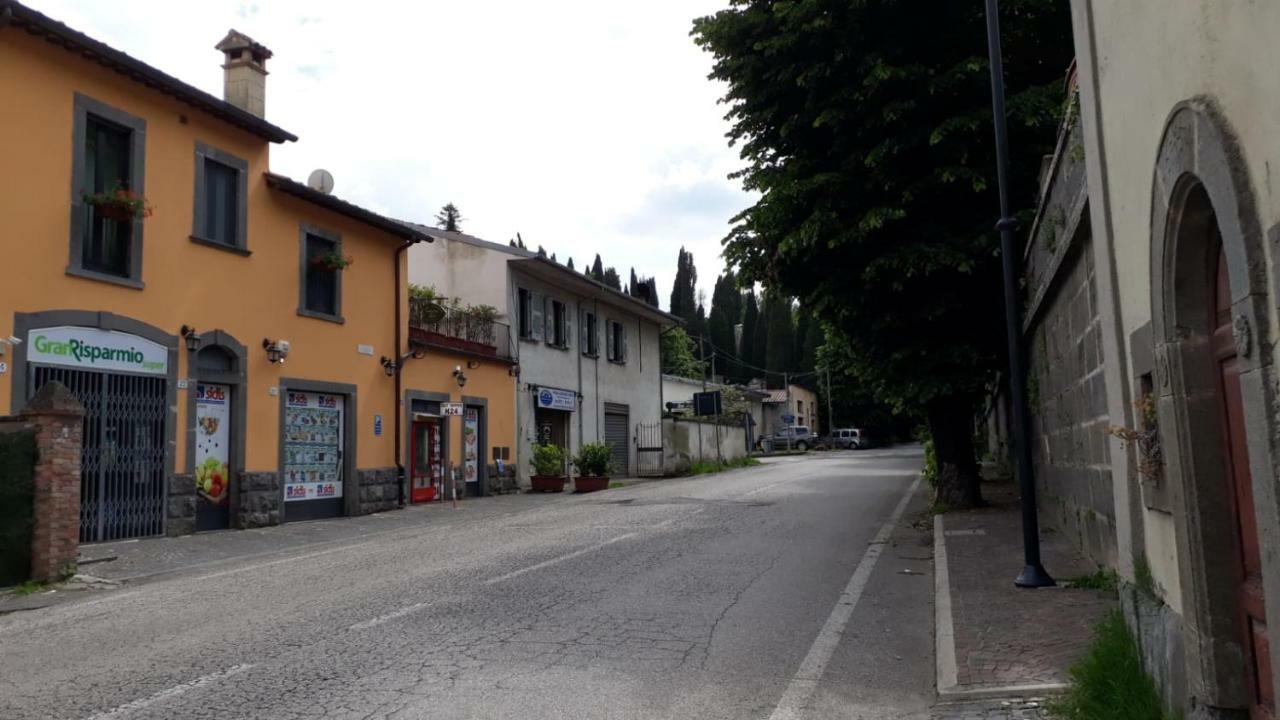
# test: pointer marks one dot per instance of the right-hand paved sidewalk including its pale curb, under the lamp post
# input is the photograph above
(995, 640)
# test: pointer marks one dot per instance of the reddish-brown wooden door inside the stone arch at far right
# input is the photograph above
(1252, 612)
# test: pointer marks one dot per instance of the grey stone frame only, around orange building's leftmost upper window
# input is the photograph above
(84, 107)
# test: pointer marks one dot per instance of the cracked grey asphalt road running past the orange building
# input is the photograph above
(794, 590)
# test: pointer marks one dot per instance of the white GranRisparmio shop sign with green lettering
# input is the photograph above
(92, 349)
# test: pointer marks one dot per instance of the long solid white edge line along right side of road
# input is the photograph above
(806, 681)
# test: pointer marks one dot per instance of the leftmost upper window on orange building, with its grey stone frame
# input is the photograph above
(108, 157)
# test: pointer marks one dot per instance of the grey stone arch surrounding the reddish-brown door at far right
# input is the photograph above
(1203, 200)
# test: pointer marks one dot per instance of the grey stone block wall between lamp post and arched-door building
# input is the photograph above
(1068, 400)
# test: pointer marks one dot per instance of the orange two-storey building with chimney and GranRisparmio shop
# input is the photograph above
(240, 340)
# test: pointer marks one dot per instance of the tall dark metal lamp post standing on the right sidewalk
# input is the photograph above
(1034, 575)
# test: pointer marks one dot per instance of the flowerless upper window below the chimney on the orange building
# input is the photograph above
(220, 217)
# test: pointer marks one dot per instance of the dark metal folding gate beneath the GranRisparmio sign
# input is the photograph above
(122, 459)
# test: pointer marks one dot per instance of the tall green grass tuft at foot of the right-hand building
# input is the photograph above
(1109, 682)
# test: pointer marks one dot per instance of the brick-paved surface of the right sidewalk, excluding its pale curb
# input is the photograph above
(1007, 636)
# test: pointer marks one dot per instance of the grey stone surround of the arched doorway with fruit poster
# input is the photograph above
(239, 382)
